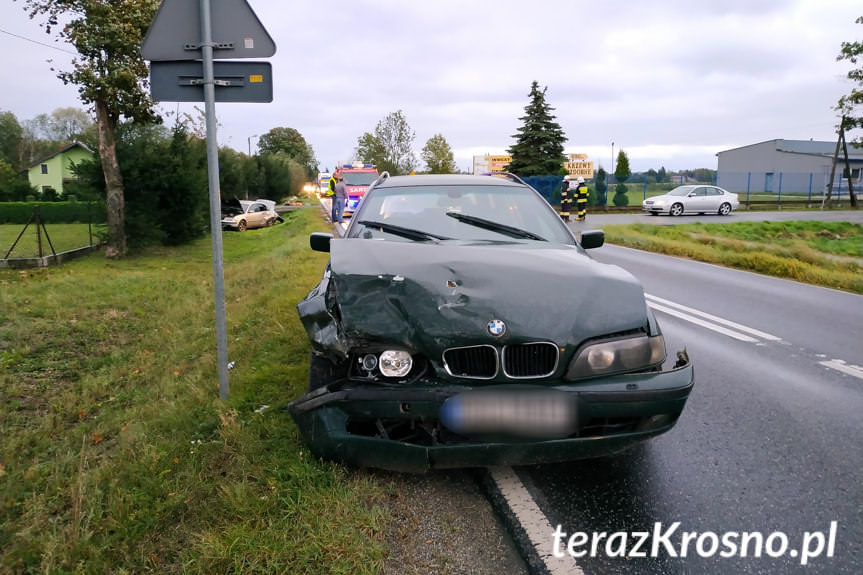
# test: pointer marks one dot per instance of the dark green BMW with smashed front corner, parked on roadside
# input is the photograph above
(459, 323)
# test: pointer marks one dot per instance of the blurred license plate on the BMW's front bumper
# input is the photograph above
(524, 413)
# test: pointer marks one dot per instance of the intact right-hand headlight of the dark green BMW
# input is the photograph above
(617, 356)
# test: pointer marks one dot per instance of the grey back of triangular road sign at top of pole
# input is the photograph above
(175, 33)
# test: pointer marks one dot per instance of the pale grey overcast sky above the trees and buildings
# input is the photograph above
(671, 82)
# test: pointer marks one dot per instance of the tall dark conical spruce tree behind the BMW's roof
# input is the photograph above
(538, 149)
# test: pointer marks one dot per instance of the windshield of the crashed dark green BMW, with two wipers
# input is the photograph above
(474, 213)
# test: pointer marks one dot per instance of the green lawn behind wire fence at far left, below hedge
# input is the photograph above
(63, 237)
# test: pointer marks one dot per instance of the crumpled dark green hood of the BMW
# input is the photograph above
(428, 297)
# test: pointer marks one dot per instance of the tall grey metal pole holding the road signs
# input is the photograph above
(215, 197)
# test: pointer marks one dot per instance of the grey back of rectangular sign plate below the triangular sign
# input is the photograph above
(234, 81)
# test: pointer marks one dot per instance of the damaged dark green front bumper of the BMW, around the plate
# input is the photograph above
(400, 428)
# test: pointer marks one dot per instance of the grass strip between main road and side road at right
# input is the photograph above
(829, 254)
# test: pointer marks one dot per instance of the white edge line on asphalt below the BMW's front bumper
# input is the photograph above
(533, 521)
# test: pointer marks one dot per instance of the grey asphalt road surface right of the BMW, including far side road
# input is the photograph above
(769, 443)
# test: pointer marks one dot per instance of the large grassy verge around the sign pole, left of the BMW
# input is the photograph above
(117, 455)
